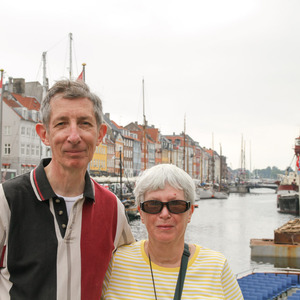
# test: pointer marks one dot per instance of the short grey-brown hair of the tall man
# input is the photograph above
(70, 90)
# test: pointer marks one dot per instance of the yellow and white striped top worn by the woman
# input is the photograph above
(208, 276)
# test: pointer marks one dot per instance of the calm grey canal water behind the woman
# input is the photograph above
(227, 225)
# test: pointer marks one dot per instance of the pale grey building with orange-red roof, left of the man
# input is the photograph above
(21, 146)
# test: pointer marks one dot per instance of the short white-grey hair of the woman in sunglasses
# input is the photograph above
(157, 177)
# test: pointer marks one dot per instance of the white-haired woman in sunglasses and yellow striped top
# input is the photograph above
(164, 267)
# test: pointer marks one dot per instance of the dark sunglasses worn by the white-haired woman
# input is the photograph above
(174, 206)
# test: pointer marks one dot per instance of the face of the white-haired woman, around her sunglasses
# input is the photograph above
(166, 227)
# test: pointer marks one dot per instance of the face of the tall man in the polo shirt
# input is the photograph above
(72, 133)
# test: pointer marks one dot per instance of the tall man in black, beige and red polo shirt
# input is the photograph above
(58, 228)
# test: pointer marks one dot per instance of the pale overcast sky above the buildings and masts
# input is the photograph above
(230, 68)
